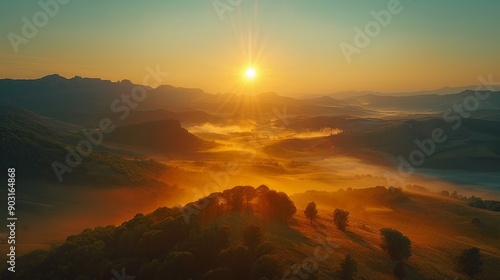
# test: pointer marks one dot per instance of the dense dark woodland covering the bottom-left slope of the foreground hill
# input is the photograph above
(160, 245)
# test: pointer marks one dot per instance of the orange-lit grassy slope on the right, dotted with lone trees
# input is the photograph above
(438, 228)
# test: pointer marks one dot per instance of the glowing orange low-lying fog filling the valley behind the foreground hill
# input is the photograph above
(239, 160)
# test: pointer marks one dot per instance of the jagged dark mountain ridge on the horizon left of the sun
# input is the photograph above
(83, 100)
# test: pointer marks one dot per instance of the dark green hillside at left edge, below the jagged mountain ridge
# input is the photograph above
(32, 147)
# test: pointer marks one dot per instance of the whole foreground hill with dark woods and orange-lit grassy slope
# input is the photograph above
(211, 243)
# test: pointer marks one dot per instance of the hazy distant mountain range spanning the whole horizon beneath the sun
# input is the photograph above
(86, 100)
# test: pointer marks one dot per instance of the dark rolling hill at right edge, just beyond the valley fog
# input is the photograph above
(473, 146)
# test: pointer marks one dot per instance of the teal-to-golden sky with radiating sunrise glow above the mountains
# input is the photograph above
(296, 47)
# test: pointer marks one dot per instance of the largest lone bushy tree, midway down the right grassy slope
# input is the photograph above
(397, 245)
